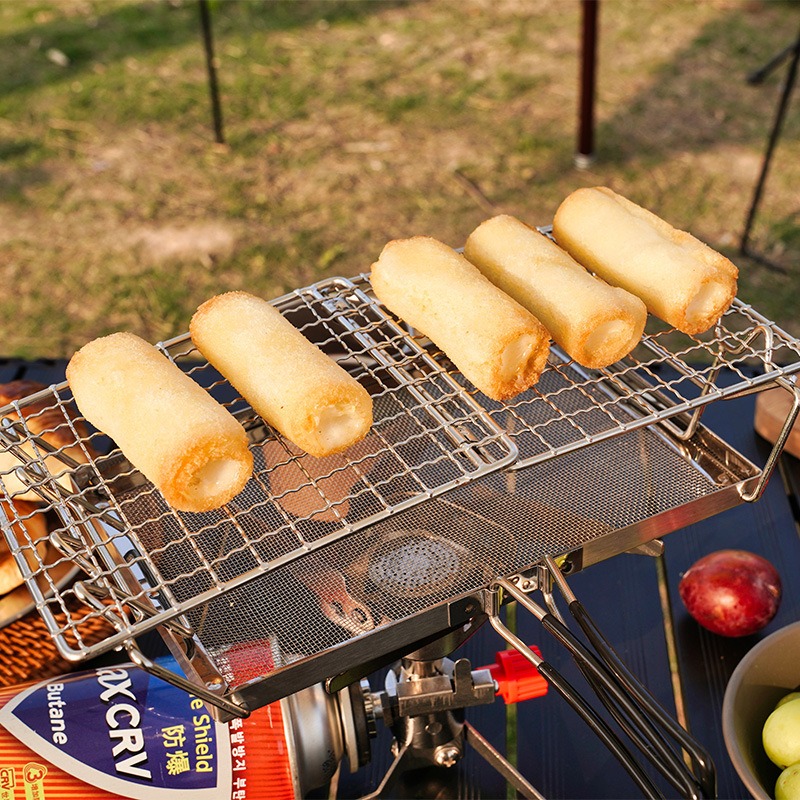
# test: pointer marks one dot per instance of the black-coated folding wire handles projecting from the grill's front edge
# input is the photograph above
(657, 736)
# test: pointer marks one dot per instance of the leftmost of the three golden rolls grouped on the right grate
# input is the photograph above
(497, 344)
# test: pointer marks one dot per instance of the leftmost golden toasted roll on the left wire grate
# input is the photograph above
(167, 426)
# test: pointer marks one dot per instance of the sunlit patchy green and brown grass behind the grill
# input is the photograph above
(351, 123)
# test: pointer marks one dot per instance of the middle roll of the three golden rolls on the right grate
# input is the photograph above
(596, 324)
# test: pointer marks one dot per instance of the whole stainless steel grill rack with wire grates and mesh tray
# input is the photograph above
(322, 564)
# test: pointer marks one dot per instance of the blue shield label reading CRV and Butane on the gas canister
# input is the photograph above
(117, 728)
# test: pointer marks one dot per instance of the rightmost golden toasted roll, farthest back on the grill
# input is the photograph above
(681, 280)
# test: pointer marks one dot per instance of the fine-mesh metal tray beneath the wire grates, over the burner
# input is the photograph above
(387, 578)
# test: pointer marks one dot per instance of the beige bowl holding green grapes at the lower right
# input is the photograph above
(768, 672)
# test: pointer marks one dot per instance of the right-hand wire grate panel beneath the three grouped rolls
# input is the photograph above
(669, 377)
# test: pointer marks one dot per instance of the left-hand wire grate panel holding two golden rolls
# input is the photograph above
(148, 563)
